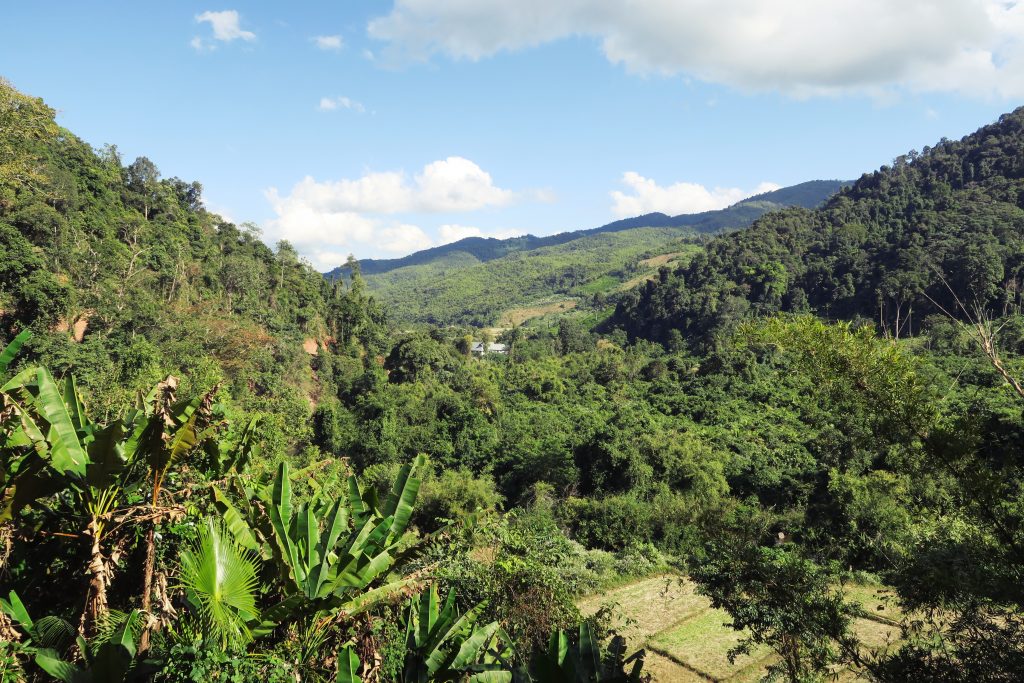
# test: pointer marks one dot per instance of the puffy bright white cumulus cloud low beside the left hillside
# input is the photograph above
(325, 219)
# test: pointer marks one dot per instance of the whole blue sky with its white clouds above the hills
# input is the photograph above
(382, 127)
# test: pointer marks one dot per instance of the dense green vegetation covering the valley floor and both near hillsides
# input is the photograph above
(219, 465)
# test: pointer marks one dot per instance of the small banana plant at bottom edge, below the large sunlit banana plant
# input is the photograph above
(443, 646)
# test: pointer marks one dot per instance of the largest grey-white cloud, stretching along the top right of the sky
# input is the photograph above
(802, 48)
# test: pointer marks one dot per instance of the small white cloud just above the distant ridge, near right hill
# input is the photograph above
(648, 197)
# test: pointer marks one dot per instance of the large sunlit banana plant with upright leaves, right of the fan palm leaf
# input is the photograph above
(325, 554)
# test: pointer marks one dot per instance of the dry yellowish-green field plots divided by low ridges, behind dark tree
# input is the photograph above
(688, 642)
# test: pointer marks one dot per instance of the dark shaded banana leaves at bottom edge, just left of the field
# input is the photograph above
(582, 660)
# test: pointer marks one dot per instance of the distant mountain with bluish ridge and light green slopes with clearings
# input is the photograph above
(481, 281)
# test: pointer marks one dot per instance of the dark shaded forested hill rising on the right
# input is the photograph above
(899, 245)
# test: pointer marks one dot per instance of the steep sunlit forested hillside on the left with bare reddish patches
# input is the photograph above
(125, 277)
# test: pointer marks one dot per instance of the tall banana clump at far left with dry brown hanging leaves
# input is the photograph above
(49, 445)
